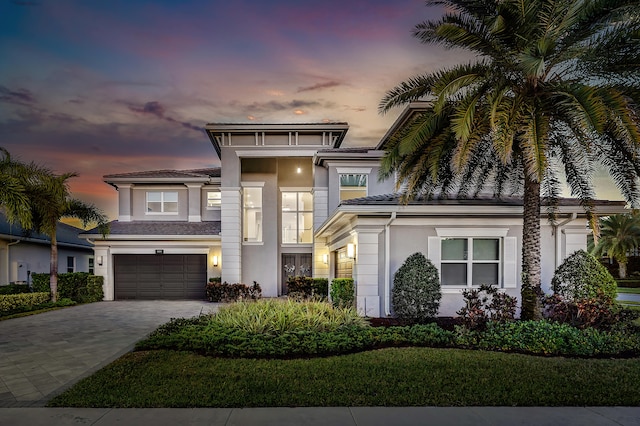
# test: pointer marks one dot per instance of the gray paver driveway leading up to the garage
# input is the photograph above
(41, 355)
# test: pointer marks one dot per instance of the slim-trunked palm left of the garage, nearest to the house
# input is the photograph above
(51, 201)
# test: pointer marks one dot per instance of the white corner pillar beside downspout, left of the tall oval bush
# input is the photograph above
(365, 272)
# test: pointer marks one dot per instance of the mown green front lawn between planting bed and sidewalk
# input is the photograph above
(386, 377)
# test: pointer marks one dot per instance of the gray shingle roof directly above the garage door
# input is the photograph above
(160, 228)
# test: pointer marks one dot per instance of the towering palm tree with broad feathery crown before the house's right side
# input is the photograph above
(554, 91)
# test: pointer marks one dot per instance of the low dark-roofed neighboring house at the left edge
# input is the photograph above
(23, 253)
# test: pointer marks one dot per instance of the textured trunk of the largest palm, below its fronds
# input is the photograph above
(531, 290)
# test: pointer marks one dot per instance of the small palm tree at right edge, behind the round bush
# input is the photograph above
(619, 234)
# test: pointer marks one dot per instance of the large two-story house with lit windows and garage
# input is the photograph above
(288, 200)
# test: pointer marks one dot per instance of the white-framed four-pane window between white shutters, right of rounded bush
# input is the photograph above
(470, 261)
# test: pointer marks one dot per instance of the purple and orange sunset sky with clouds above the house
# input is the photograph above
(110, 86)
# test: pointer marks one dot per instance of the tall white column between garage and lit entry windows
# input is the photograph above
(231, 233)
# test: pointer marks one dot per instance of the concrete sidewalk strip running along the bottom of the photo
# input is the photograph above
(338, 416)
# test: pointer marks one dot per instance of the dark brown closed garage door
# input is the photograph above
(160, 276)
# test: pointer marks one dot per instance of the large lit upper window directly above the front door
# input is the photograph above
(297, 217)
